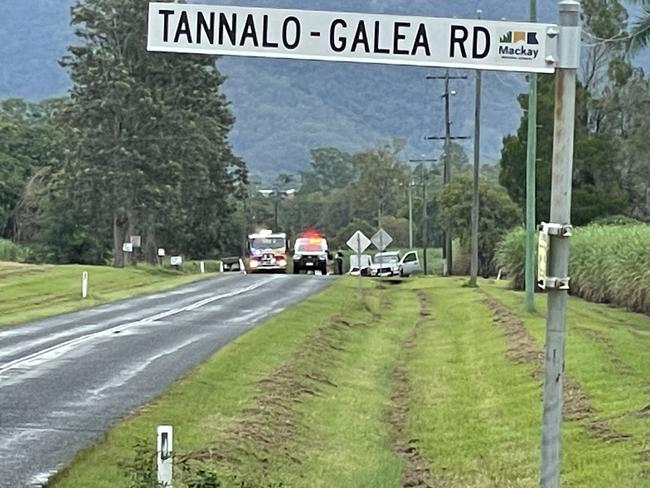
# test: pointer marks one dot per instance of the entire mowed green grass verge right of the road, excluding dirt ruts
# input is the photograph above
(474, 414)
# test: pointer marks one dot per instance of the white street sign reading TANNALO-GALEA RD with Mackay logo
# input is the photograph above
(353, 37)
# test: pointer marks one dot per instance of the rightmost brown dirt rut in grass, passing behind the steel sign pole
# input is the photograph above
(522, 349)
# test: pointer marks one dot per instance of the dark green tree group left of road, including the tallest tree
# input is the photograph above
(138, 148)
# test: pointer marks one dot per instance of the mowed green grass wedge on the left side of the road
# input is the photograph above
(29, 292)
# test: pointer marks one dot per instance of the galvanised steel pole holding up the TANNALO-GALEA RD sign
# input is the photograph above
(563, 146)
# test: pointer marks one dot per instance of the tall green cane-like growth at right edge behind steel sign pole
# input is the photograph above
(608, 263)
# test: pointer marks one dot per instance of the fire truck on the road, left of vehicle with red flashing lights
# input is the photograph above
(267, 252)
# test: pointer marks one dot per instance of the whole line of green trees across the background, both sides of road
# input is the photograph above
(140, 147)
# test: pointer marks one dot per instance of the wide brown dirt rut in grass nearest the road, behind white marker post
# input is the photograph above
(267, 429)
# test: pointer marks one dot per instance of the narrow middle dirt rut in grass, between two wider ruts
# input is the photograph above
(416, 473)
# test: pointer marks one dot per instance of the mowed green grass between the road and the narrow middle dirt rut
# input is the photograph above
(343, 450)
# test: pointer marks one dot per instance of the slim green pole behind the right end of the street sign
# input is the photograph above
(531, 157)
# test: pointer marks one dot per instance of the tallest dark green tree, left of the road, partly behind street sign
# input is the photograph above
(149, 134)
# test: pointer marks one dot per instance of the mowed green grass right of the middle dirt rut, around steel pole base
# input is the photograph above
(477, 413)
